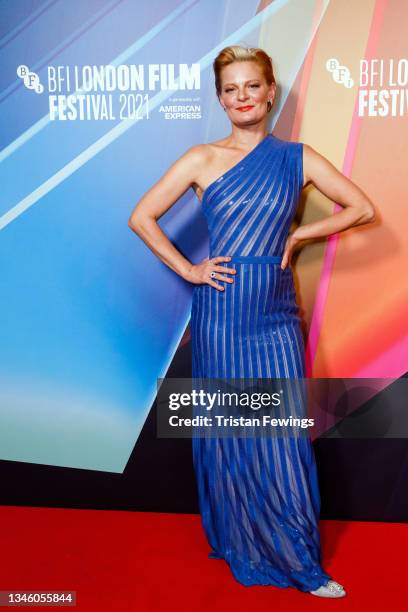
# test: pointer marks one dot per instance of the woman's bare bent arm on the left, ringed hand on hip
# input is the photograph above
(156, 201)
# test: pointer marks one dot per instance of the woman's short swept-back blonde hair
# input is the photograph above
(236, 53)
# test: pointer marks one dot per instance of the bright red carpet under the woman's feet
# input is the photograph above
(128, 562)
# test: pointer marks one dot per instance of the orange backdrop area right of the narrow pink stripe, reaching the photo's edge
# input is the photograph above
(365, 311)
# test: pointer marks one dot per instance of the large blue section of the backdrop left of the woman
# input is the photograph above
(90, 317)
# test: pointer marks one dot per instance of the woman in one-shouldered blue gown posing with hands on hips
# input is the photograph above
(259, 500)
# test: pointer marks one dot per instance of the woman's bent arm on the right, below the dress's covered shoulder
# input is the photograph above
(357, 207)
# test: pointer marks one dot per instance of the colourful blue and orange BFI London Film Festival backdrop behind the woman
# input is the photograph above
(97, 99)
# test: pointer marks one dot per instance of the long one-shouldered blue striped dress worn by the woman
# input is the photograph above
(258, 496)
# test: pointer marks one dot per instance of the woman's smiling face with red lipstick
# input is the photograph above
(245, 92)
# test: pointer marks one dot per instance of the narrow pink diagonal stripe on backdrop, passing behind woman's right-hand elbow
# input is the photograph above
(330, 251)
